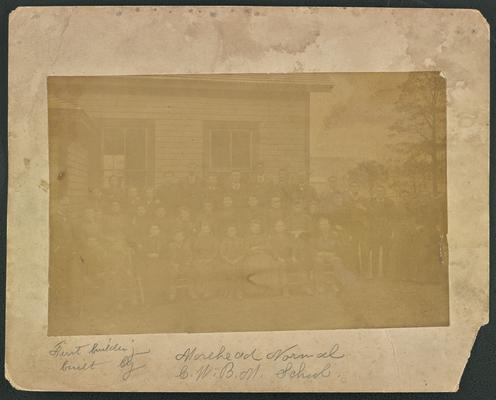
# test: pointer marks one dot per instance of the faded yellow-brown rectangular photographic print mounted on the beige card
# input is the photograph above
(247, 202)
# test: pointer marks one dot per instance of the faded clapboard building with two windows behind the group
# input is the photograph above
(137, 128)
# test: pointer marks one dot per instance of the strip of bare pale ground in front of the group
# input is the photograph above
(360, 304)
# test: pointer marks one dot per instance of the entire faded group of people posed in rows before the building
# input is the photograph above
(202, 238)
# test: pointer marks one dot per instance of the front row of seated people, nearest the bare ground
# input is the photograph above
(203, 266)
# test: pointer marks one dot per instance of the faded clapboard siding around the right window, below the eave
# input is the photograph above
(179, 123)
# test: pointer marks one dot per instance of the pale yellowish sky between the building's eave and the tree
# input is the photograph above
(360, 109)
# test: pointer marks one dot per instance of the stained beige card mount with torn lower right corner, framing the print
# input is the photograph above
(168, 40)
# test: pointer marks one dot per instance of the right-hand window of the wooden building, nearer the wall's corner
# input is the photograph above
(230, 147)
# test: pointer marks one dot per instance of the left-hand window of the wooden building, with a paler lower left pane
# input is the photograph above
(127, 151)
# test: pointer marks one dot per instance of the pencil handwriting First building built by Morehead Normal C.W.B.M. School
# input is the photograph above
(196, 364)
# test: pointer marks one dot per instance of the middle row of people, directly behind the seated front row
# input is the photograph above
(135, 225)
